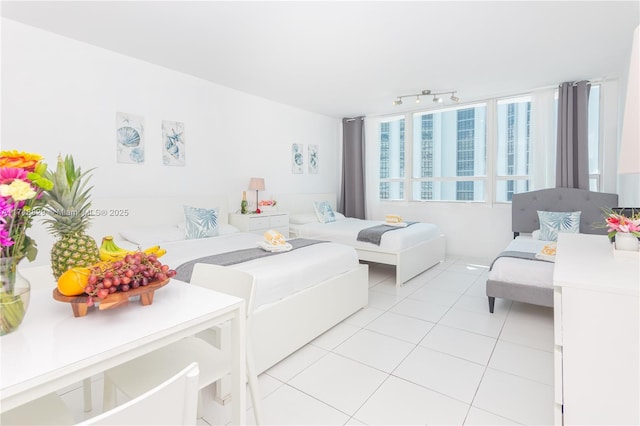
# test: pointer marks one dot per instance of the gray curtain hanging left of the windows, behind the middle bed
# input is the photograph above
(351, 202)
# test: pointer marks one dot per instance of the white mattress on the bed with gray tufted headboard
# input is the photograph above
(522, 271)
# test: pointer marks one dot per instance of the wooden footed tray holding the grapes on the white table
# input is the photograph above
(80, 306)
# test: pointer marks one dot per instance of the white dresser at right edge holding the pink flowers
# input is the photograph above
(596, 329)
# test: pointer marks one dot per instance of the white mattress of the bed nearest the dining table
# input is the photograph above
(276, 276)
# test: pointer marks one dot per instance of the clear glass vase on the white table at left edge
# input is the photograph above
(14, 295)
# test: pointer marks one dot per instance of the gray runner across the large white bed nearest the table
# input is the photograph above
(185, 270)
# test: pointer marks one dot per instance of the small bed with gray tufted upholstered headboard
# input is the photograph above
(531, 281)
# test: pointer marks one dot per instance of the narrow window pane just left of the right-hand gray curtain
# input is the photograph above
(513, 172)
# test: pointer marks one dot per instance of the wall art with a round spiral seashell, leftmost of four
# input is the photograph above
(129, 138)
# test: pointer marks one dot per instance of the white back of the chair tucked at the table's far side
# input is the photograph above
(226, 280)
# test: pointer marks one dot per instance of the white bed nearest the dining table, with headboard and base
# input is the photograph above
(284, 320)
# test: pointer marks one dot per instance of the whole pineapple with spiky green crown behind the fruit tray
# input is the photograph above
(67, 205)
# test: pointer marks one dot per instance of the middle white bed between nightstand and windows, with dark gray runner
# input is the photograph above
(412, 250)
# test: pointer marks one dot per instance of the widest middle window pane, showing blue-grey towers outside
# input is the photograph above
(449, 154)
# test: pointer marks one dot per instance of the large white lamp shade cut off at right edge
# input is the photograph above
(630, 141)
